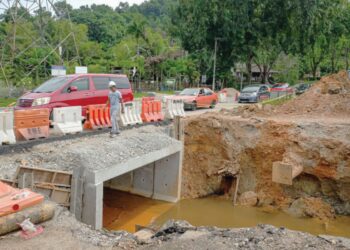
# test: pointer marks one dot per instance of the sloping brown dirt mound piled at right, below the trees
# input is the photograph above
(329, 97)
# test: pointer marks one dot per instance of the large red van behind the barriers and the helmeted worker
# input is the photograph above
(75, 90)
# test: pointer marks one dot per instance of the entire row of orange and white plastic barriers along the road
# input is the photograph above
(32, 124)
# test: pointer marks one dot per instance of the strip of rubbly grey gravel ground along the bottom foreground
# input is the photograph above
(64, 232)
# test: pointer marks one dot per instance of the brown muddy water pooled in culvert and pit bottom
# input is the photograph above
(123, 211)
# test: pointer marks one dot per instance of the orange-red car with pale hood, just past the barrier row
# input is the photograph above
(197, 98)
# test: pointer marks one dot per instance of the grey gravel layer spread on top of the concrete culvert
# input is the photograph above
(94, 152)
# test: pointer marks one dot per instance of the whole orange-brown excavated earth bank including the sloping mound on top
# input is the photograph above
(310, 133)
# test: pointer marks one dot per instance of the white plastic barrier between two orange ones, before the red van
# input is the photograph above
(67, 120)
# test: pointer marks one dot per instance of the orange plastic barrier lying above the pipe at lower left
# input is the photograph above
(13, 200)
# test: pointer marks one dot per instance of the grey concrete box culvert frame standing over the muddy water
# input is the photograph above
(156, 175)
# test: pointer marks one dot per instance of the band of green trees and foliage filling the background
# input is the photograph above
(166, 39)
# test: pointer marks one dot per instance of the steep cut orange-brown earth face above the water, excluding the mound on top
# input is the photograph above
(219, 146)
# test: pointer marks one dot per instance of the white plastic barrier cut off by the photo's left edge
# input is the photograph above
(7, 135)
